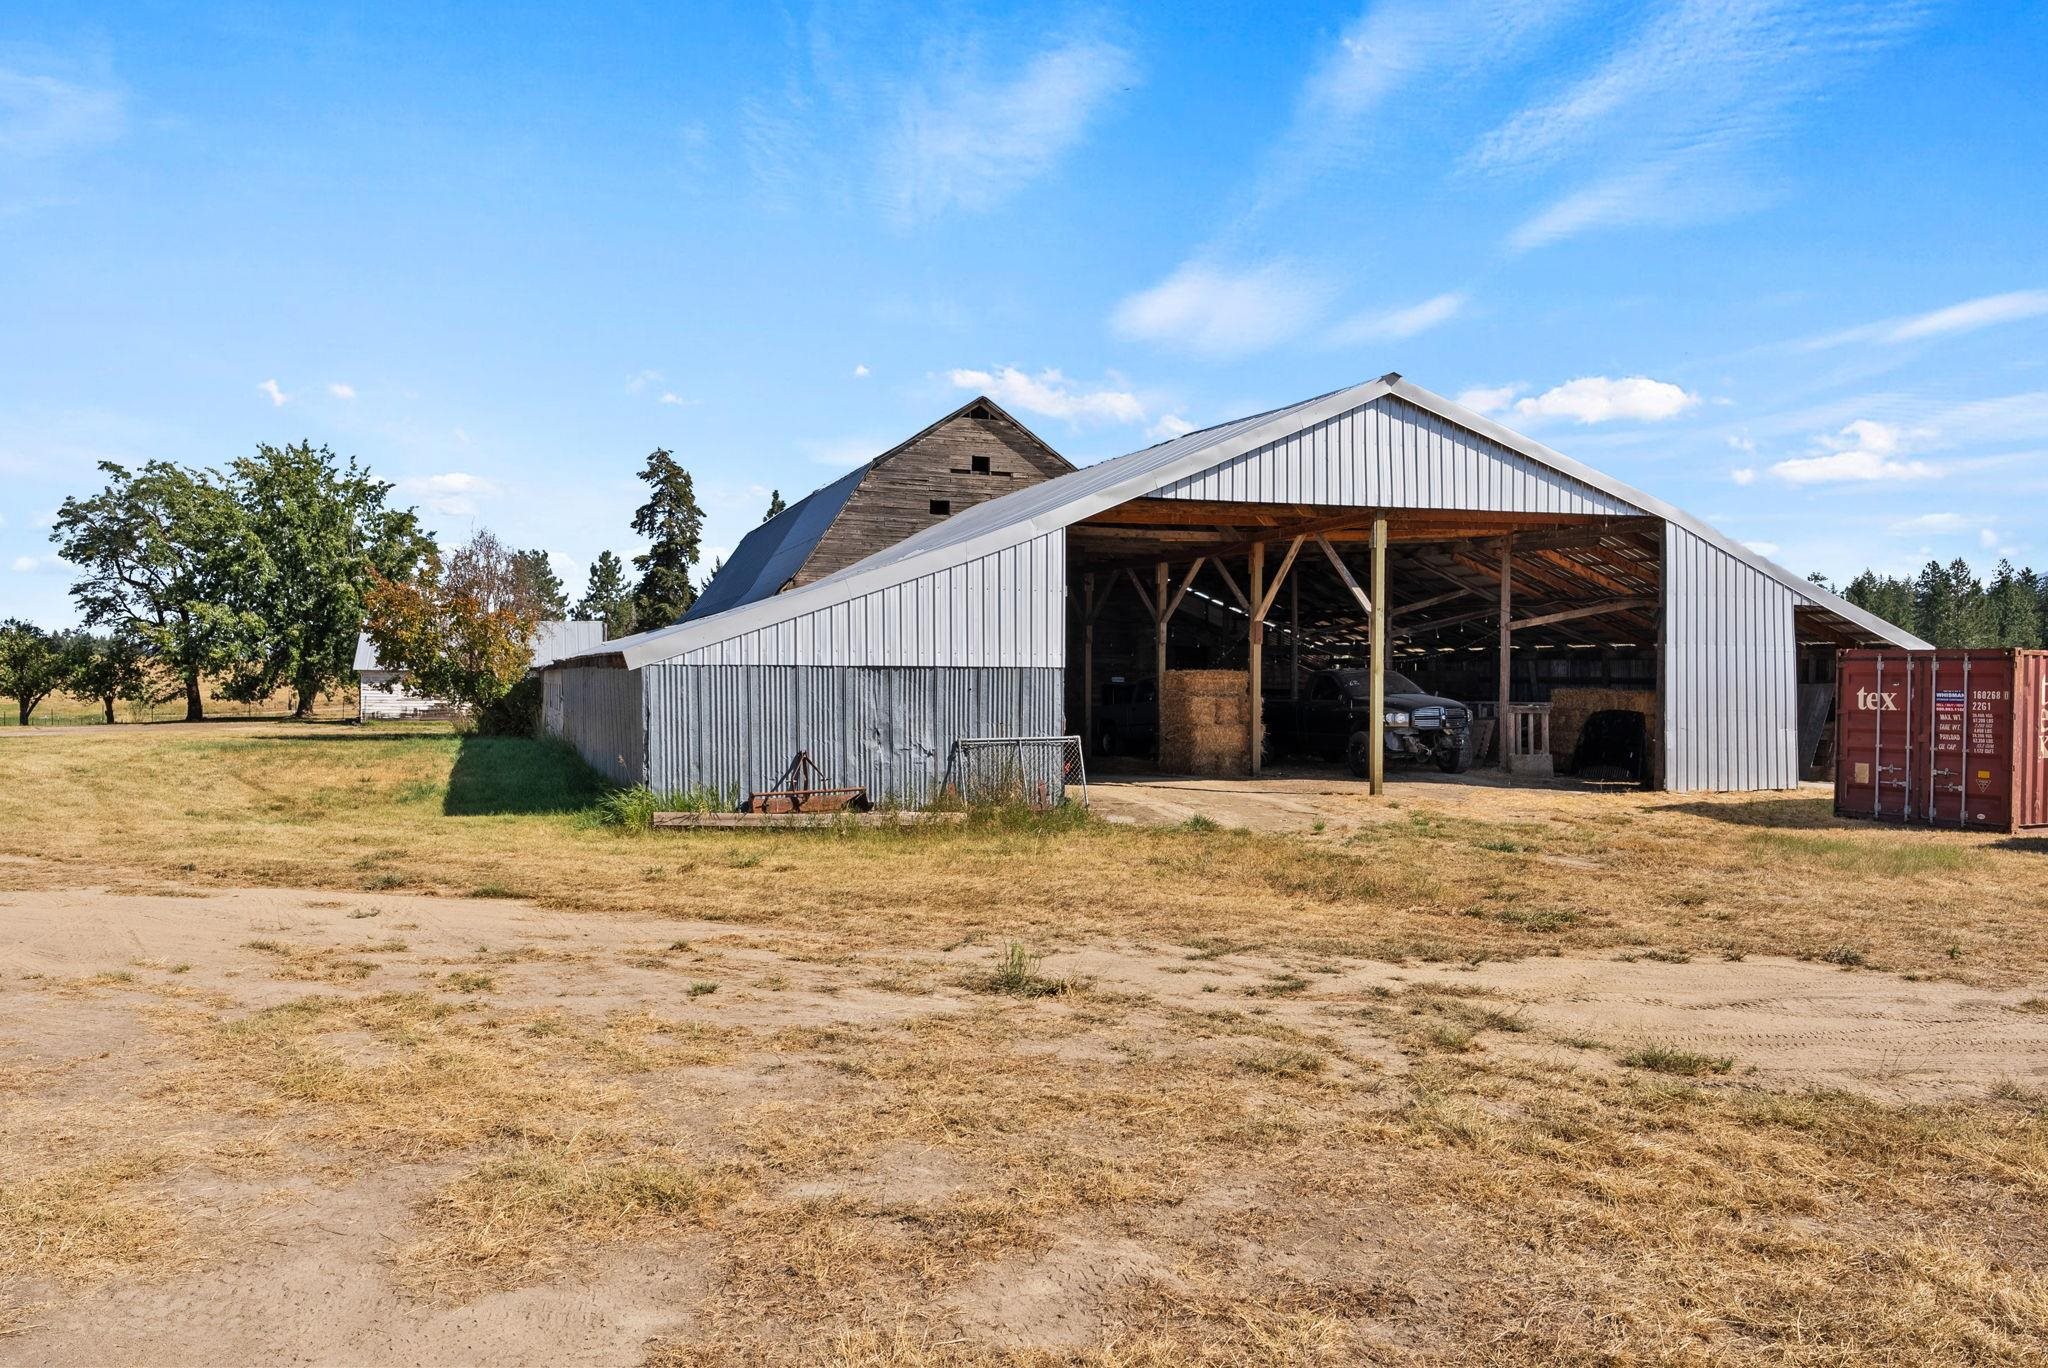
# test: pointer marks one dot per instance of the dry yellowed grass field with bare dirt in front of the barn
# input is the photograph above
(376, 1045)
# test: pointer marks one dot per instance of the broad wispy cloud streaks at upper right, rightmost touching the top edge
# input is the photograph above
(1666, 126)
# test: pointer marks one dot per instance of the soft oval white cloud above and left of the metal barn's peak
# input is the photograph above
(1224, 312)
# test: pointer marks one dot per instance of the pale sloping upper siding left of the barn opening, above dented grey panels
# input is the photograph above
(1002, 609)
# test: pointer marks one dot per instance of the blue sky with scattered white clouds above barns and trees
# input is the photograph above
(1779, 263)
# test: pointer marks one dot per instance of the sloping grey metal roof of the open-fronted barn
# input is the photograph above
(1060, 503)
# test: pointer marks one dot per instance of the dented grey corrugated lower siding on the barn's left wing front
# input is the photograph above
(736, 730)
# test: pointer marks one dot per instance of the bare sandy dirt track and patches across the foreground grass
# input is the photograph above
(302, 1260)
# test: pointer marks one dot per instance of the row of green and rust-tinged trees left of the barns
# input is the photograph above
(259, 576)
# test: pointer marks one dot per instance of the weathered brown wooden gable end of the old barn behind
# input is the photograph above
(896, 499)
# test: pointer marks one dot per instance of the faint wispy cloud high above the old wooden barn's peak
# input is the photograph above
(972, 142)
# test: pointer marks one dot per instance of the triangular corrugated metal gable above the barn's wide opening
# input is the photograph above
(1392, 454)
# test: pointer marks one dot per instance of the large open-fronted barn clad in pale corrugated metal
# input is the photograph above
(1504, 562)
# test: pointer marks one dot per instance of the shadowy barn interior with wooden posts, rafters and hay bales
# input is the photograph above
(1537, 622)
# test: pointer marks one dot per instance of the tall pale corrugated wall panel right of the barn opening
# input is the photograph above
(1732, 673)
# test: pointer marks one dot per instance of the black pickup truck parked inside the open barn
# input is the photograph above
(1332, 720)
